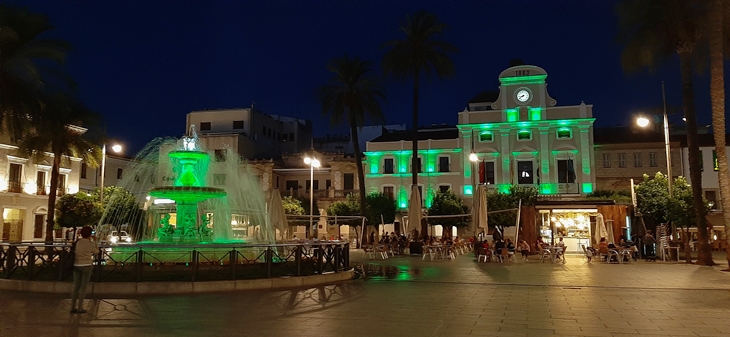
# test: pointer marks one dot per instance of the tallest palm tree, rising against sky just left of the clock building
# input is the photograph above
(419, 52)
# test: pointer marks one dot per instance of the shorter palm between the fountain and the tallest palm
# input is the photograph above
(350, 96)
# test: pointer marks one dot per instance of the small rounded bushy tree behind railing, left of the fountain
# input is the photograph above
(77, 210)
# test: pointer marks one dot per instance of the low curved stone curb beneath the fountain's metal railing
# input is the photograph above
(172, 288)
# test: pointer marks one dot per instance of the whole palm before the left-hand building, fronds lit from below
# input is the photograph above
(58, 130)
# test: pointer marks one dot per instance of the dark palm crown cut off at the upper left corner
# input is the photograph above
(27, 61)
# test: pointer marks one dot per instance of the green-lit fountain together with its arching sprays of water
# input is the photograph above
(192, 195)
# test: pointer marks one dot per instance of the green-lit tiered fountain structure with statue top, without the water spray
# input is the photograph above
(191, 166)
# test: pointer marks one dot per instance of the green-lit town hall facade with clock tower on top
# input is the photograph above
(521, 136)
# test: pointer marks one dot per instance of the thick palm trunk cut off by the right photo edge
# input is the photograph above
(717, 96)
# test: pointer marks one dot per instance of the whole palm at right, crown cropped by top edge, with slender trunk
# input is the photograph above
(653, 31)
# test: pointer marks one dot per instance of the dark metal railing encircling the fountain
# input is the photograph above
(158, 262)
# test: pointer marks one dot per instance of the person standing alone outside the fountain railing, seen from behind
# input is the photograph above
(83, 265)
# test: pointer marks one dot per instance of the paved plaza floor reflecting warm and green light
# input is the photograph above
(405, 296)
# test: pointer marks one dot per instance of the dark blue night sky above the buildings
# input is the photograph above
(145, 64)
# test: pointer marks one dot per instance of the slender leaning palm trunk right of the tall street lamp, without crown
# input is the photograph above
(704, 255)
